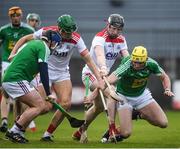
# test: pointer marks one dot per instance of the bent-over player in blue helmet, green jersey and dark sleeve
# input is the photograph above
(30, 60)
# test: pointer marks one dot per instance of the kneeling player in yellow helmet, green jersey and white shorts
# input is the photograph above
(131, 83)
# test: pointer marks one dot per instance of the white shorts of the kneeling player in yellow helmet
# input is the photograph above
(137, 102)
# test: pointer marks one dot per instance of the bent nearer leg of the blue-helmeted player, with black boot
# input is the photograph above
(37, 106)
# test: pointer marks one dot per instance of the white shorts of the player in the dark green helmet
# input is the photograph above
(58, 76)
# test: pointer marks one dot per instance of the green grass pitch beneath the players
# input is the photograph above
(144, 135)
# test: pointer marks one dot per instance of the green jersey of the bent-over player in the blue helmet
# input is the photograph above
(24, 65)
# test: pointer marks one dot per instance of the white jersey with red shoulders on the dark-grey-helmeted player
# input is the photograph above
(112, 48)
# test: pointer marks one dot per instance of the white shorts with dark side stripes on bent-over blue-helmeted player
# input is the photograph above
(17, 89)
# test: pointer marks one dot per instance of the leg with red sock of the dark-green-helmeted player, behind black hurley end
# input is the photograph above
(63, 92)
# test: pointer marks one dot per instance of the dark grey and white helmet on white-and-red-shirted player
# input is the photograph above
(116, 20)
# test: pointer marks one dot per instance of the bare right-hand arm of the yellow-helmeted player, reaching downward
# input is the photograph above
(166, 84)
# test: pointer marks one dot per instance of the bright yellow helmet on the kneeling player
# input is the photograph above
(139, 54)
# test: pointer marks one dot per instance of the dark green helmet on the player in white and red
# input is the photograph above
(67, 23)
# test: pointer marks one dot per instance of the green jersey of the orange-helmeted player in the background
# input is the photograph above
(9, 35)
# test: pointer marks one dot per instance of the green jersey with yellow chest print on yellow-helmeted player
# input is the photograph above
(133, 82)
